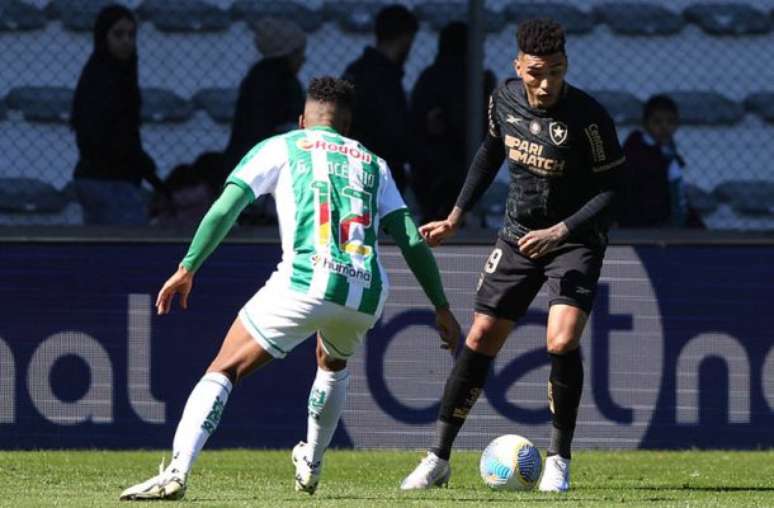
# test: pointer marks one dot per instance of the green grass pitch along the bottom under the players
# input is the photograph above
(371, 478)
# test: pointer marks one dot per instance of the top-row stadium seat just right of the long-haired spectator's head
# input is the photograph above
(184, 16)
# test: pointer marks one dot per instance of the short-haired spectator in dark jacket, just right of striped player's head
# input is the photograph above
(380, 118)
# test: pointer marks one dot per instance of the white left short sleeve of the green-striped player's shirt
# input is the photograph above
(259, 170)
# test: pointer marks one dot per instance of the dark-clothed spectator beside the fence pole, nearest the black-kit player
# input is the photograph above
(439, 123)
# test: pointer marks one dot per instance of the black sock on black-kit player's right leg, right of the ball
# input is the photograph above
(564, 393)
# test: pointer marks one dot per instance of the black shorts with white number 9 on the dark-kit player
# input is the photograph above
(510, 280)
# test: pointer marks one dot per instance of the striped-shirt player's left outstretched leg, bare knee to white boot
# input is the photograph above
(238, 356)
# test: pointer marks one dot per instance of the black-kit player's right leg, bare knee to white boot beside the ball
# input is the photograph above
(565, 389)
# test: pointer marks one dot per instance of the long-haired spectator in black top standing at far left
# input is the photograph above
(106, 120)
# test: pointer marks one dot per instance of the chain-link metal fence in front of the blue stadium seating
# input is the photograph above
(712, 57)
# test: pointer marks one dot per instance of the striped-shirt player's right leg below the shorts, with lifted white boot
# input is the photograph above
(326, 403)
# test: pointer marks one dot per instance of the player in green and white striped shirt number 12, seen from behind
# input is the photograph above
(332, 197)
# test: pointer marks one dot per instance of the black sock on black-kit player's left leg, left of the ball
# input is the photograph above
(462, 389)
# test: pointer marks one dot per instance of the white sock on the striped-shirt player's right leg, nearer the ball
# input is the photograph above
(326, 403)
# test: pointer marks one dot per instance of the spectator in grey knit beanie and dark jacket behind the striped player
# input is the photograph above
(271, 97)
